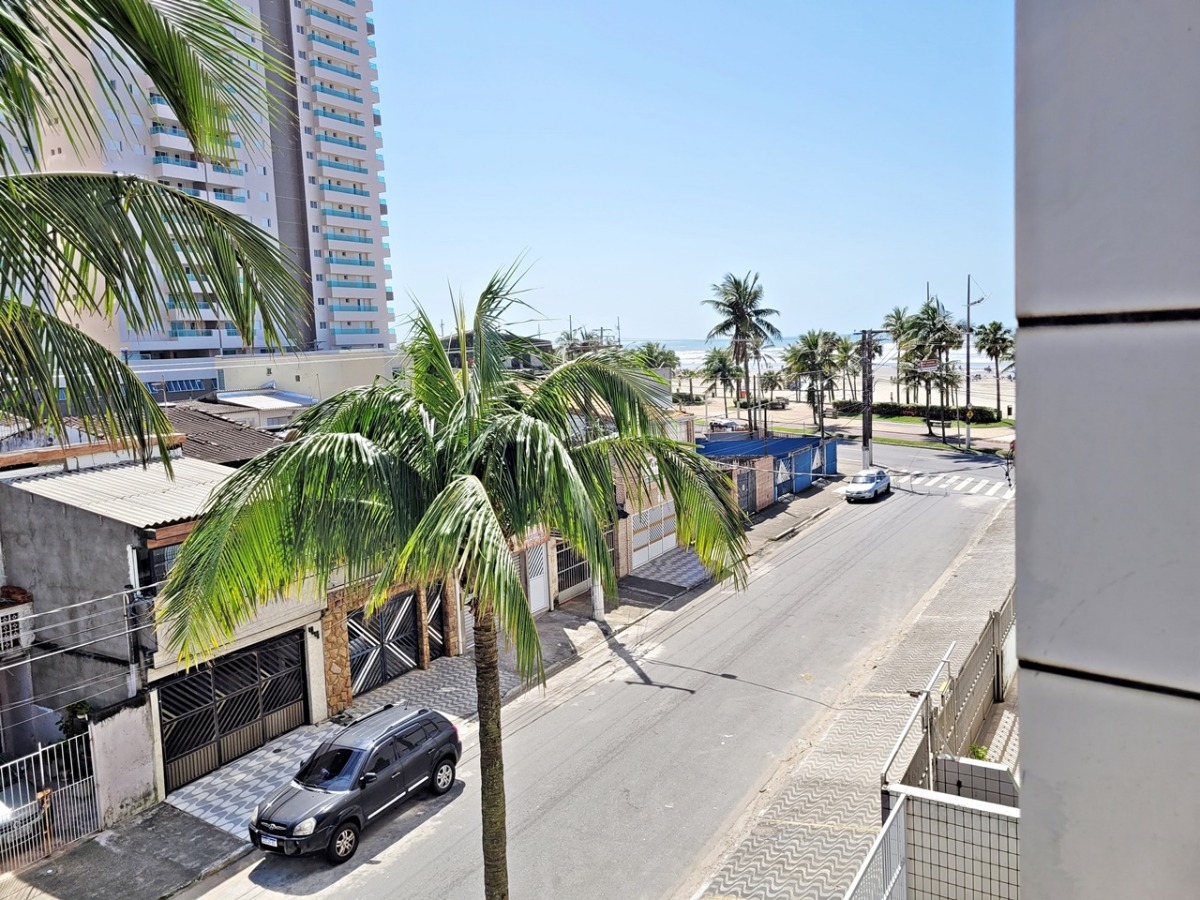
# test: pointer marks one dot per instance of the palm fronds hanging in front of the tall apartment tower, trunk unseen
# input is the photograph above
(82, 244)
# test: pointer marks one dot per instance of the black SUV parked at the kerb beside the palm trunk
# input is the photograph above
(365, 770)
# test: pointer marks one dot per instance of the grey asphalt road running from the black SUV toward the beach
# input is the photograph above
(637, 764)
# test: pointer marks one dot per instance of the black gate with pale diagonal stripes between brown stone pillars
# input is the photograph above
(383, 646)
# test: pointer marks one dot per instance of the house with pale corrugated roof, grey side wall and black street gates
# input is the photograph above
(89, 549)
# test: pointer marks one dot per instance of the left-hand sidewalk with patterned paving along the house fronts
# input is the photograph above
(201, 829)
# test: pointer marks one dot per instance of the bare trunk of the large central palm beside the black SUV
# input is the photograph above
(491, 760)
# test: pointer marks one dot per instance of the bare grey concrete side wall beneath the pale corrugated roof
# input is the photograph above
(65, 556)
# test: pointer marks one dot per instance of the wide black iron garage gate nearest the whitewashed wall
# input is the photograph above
(231, 706)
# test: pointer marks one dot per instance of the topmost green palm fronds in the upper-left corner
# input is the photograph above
(199, 55)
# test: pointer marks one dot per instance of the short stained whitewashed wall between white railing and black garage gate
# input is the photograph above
(123, 751)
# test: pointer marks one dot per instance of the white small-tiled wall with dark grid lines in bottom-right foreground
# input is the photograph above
(961, 850)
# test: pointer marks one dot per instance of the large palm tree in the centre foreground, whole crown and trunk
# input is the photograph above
(437, 477)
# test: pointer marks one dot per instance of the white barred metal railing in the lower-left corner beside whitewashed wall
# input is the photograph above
(51, 796)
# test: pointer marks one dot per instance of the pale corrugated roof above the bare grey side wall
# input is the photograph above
(141, 497)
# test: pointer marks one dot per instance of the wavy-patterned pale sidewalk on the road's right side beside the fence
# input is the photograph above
(814, 835)
